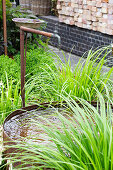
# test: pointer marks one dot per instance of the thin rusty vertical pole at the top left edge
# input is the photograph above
(4, 25)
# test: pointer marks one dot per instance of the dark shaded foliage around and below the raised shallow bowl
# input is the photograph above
(13, 31)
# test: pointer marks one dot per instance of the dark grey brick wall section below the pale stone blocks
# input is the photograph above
(76, 40)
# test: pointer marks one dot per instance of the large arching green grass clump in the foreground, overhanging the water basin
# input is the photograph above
(83, 141)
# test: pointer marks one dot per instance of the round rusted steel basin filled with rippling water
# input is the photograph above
(16, 126)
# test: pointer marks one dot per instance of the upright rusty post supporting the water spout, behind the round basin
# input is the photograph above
(22, 67)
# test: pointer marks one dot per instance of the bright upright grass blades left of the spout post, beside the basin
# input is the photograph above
(10, 98)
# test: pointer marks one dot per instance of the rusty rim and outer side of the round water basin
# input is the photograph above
(8, 141)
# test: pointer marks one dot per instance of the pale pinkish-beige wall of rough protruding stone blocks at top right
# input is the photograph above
(94, 15)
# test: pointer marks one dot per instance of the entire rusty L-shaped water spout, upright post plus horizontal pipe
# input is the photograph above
(23, 57)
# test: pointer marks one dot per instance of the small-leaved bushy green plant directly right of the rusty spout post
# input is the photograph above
(36, 59)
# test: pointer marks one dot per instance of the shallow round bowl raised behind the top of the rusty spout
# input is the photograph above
(29, 23)
